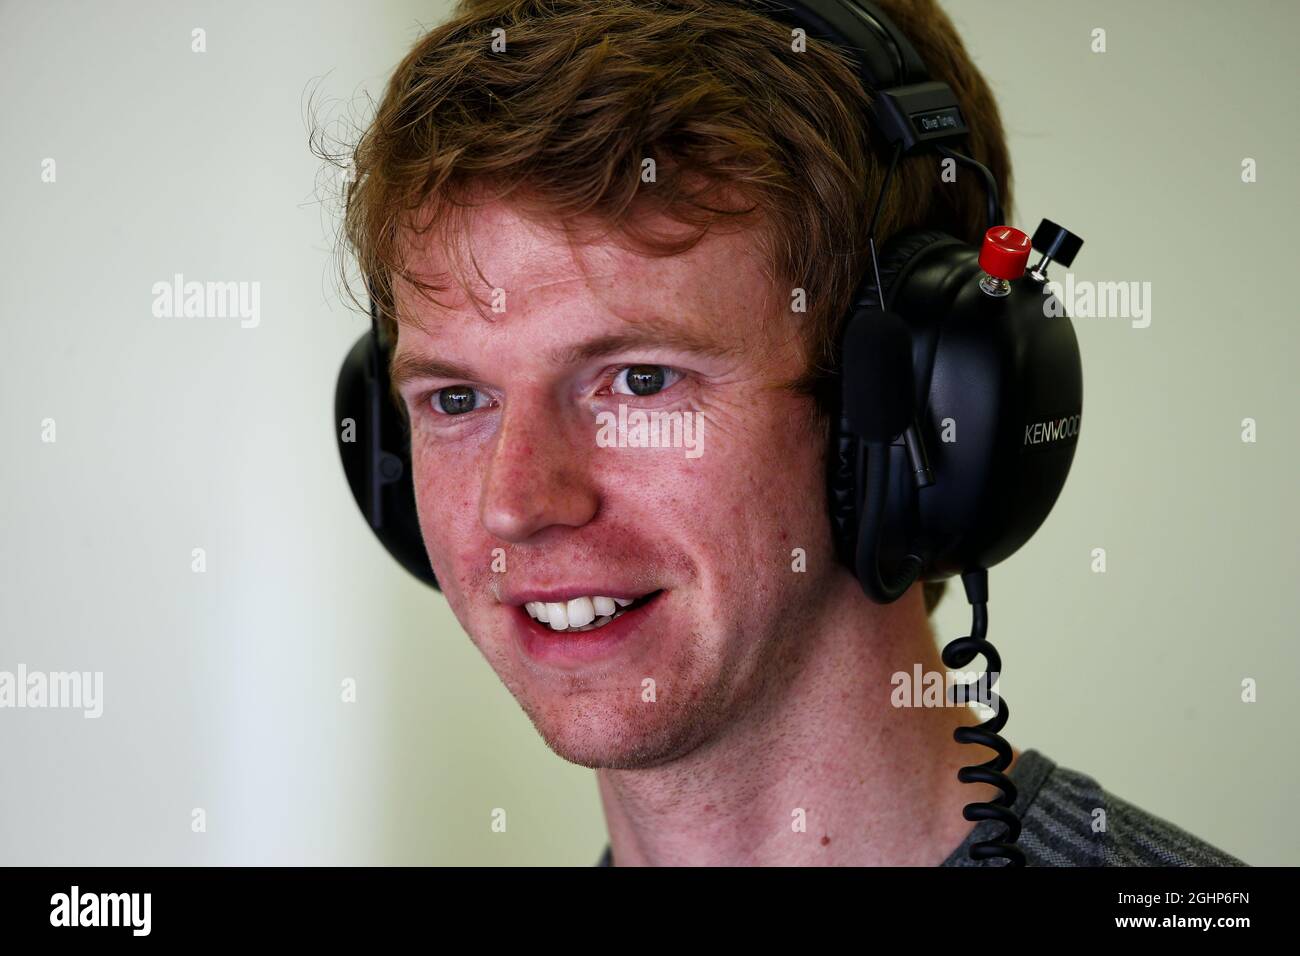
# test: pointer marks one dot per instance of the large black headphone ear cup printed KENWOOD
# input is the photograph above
(1007, 373)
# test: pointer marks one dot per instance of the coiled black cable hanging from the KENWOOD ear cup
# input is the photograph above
(956, 656)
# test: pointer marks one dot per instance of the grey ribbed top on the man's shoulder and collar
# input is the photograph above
(1058, 811)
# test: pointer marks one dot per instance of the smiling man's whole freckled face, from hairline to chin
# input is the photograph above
(527, 501)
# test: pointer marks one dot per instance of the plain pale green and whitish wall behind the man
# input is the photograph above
(223, 689)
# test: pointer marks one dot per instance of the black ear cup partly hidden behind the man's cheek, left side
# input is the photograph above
(375, 447)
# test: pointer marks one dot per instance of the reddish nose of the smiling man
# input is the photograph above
(539, 474)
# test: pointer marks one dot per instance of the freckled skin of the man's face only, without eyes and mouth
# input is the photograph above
(566, 511)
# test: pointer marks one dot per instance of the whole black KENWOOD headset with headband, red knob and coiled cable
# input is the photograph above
(959, 403)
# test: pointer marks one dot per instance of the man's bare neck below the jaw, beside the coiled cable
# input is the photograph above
(873, 785)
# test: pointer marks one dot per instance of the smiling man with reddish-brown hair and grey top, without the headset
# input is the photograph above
(614, 243)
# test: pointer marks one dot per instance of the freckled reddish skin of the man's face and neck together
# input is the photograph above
(772, 686)
